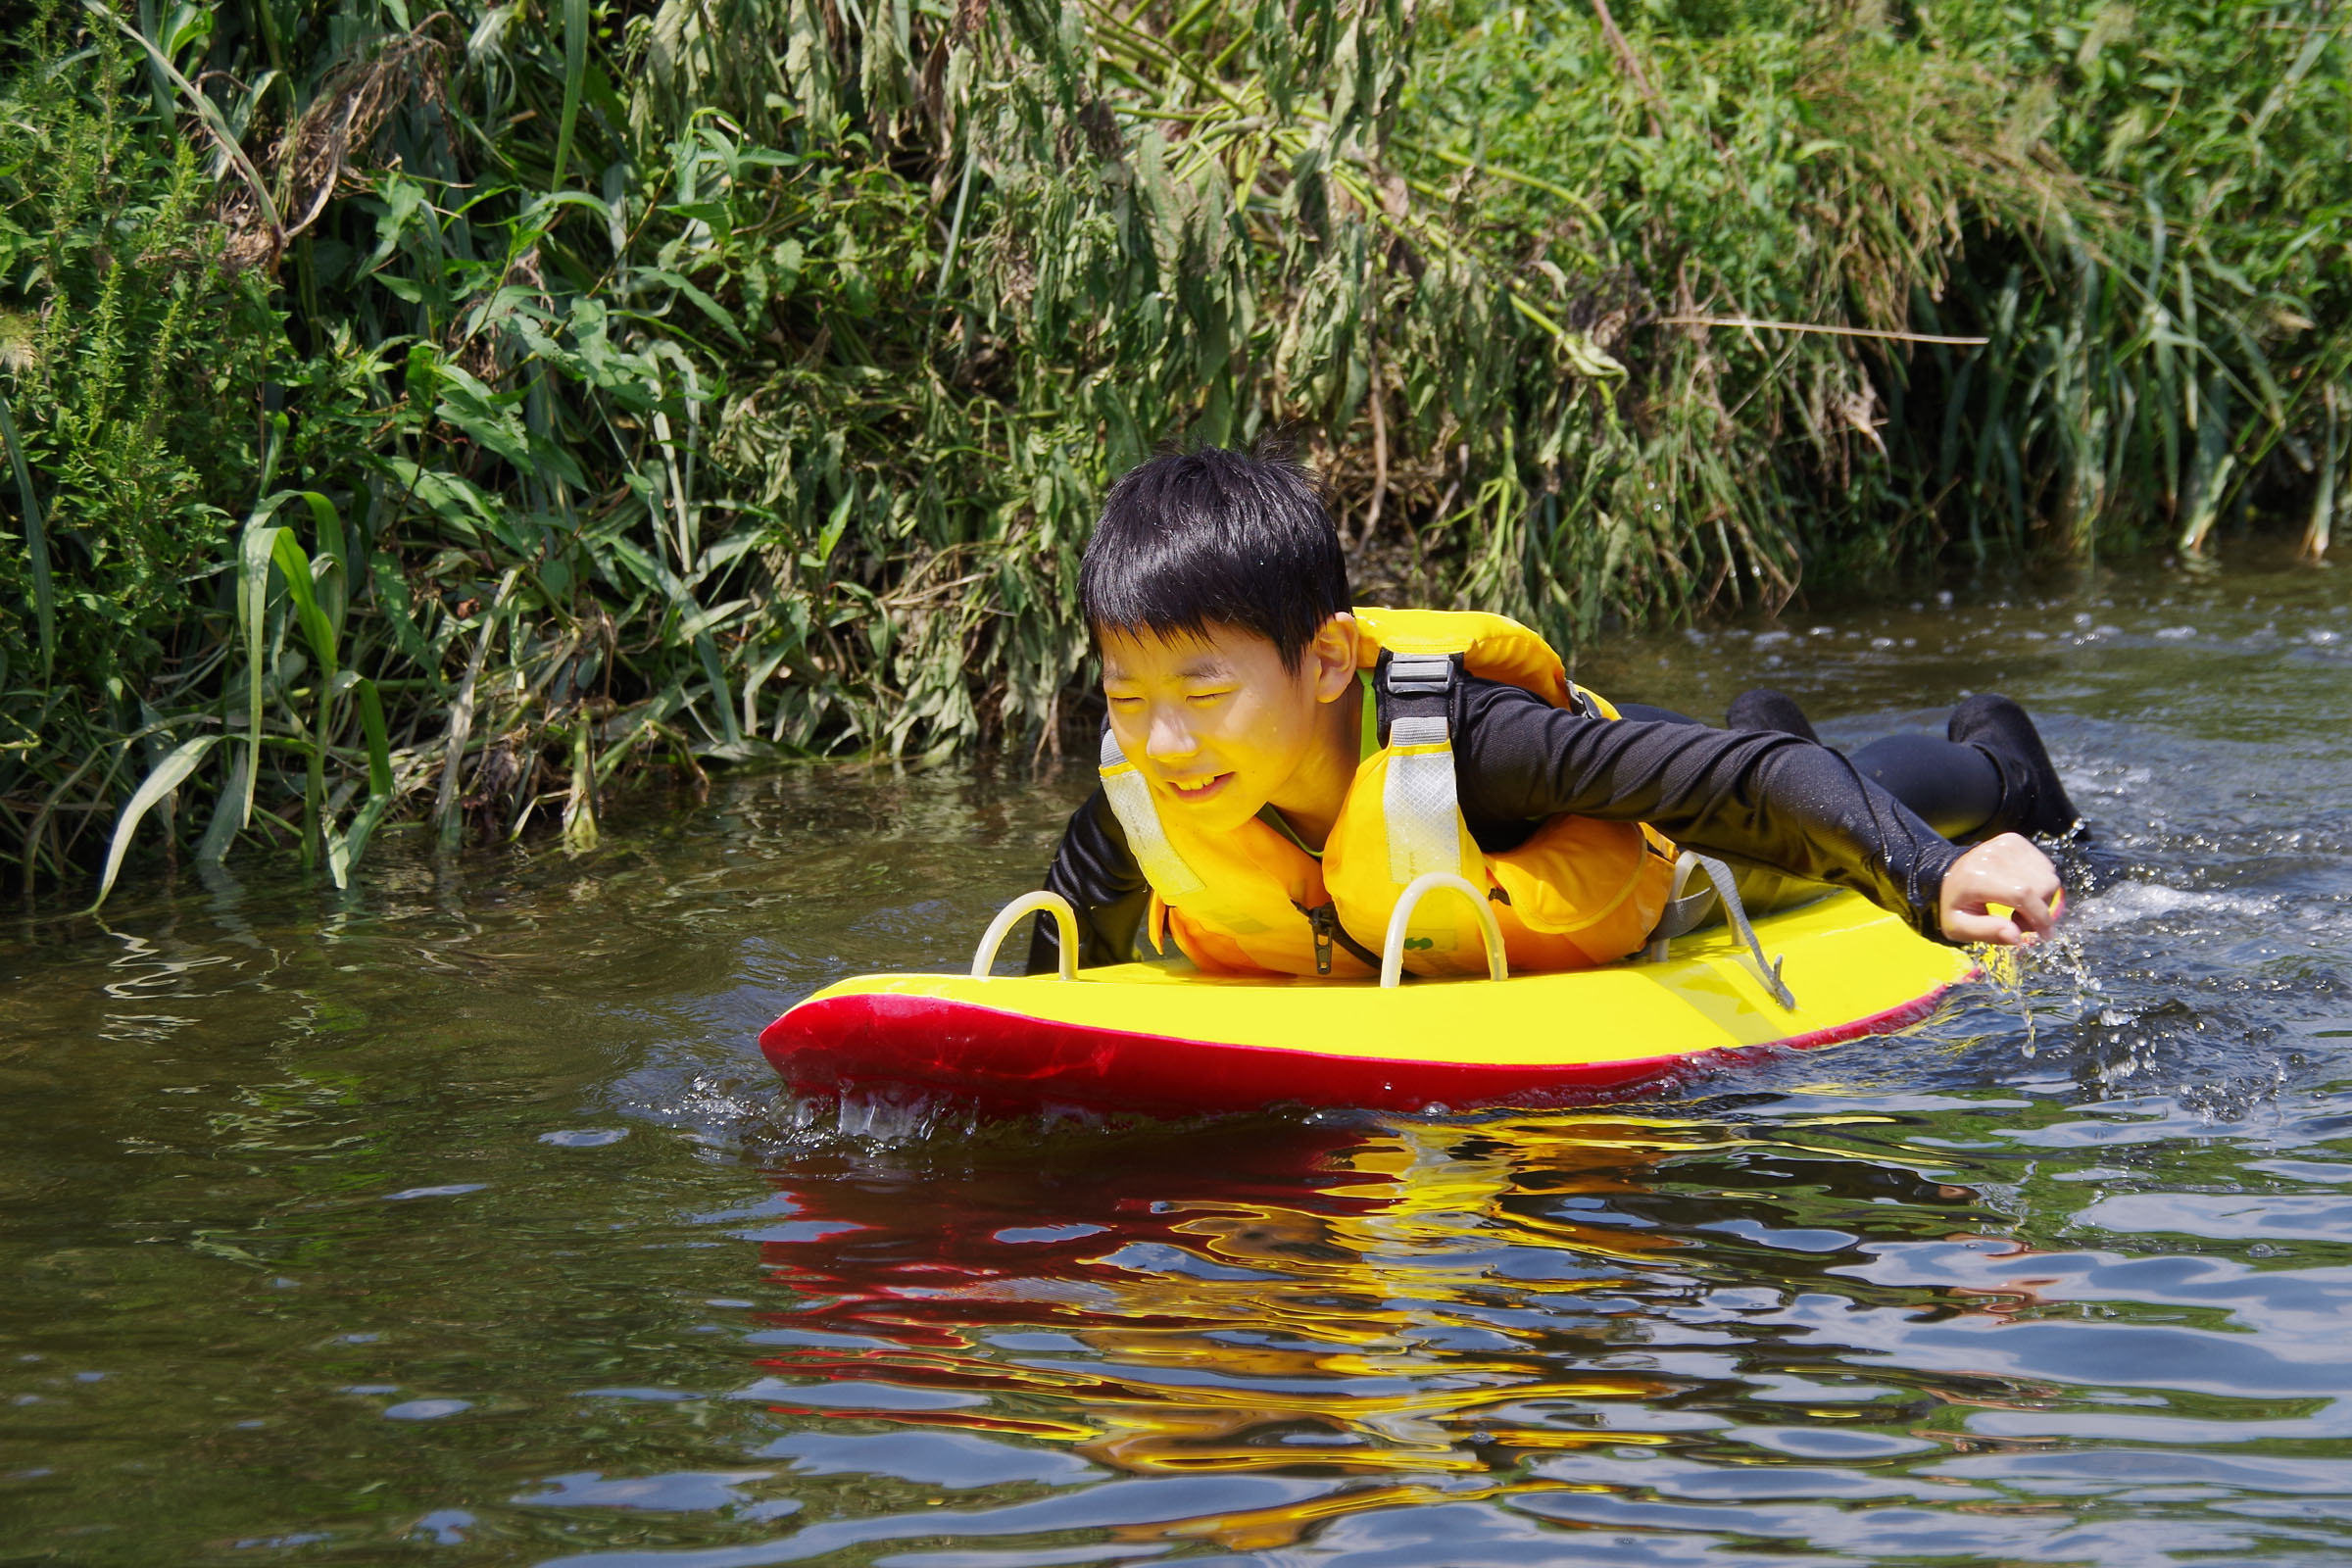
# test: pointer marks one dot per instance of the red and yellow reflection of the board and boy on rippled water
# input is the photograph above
(1234, 1299)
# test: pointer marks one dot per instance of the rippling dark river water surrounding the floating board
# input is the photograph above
(460, 1221)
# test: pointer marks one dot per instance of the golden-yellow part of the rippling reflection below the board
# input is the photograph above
(1415, 1313)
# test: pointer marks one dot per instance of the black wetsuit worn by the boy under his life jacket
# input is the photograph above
(1753, 798)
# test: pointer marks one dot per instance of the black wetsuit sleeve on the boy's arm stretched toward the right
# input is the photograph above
(1758, 798)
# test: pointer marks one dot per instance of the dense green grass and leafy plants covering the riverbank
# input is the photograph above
(441, 413)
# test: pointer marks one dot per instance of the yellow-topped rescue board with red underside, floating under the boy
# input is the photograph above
(1163, 1038)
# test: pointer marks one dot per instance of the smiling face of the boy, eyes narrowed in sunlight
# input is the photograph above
(1217, 725)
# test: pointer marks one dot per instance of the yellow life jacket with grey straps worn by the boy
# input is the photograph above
(1577, 892)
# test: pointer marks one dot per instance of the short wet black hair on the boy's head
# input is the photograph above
(1217, 537)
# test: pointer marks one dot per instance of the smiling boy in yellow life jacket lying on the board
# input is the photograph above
(1278, 765)
